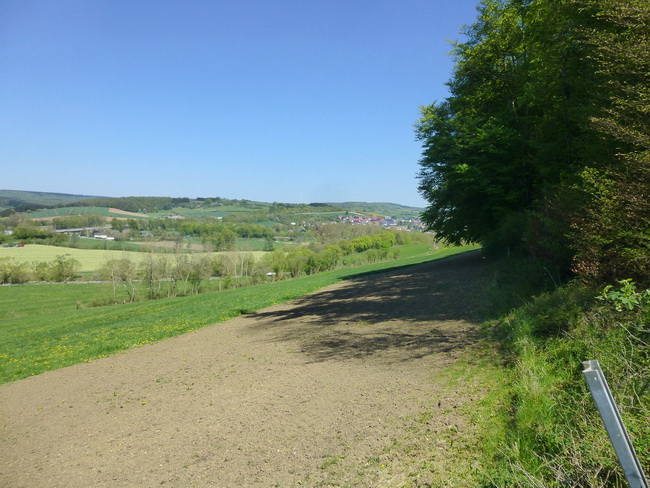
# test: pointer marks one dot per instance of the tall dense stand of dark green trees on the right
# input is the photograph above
(543, 145)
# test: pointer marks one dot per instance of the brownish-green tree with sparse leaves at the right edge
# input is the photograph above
(612, 231)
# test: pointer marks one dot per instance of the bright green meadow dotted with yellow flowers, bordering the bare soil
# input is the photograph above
(45, 327)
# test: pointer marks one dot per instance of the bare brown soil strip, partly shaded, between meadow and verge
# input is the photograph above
(321, 391)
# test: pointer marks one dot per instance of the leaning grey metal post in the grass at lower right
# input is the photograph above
(614, 425)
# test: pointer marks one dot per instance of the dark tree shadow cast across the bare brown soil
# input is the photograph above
(404, 314)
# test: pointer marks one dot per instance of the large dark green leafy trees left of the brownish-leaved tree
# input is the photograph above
(501, 152)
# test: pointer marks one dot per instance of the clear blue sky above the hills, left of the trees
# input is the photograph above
(283, 100)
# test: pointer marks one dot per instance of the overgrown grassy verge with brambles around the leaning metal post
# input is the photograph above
(550, 433)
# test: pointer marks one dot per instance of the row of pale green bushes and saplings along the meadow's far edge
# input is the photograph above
(161, 275)
